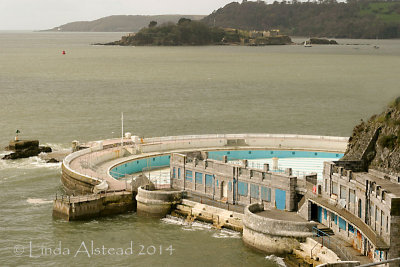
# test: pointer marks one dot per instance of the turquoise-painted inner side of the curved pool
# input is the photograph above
(140, 165)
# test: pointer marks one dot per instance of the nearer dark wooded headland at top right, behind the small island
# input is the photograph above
(354, 19)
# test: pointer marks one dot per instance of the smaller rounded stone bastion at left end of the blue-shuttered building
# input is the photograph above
(157, 203)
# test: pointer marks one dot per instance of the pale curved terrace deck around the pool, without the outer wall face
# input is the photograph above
(97, 164)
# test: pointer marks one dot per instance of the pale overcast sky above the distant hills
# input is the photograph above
(45, 14)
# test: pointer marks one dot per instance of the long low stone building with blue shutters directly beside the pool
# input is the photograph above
(233, 183)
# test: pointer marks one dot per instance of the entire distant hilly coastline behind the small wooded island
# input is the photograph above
(351, 19)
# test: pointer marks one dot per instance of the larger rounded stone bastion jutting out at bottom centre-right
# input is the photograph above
(270, 235)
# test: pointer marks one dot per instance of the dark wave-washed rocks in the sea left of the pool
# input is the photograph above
(25, 149)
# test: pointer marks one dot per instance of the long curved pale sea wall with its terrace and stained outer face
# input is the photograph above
(77, 180)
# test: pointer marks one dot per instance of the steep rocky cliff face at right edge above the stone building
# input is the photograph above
(377, 142)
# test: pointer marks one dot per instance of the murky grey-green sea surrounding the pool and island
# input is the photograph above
(322, 90)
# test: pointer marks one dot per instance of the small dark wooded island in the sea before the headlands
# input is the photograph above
(188, 32)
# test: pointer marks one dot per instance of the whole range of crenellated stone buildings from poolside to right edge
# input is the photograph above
(360, 207)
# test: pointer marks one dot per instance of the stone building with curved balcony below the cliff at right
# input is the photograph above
(360, 206)
